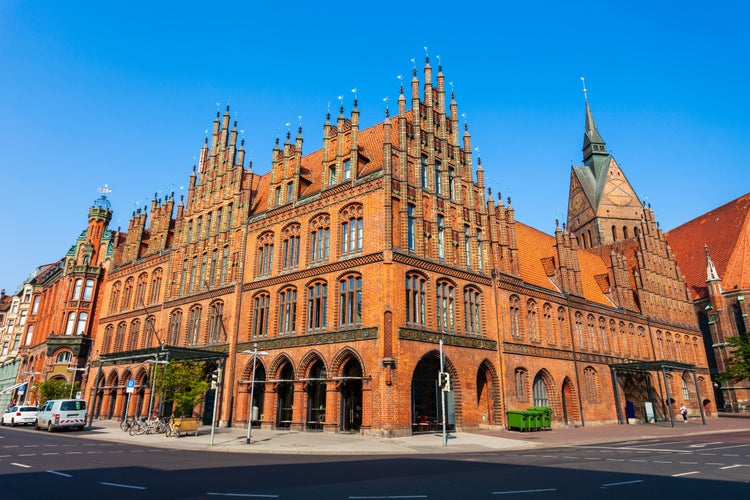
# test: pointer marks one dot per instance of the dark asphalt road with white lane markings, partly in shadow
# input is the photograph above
(35, 464)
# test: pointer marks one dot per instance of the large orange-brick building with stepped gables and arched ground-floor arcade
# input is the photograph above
(349, 267)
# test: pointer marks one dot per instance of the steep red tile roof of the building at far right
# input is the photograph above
(726, 231)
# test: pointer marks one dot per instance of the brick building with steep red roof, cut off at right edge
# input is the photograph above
(714, 253)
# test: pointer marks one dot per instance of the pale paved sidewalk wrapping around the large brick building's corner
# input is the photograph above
(319, 443)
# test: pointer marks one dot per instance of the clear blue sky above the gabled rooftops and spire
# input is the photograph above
(120, 93)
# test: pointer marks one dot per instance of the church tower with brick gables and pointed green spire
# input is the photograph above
(602, 205)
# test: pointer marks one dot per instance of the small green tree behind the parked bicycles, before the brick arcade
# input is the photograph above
(183, 383)
